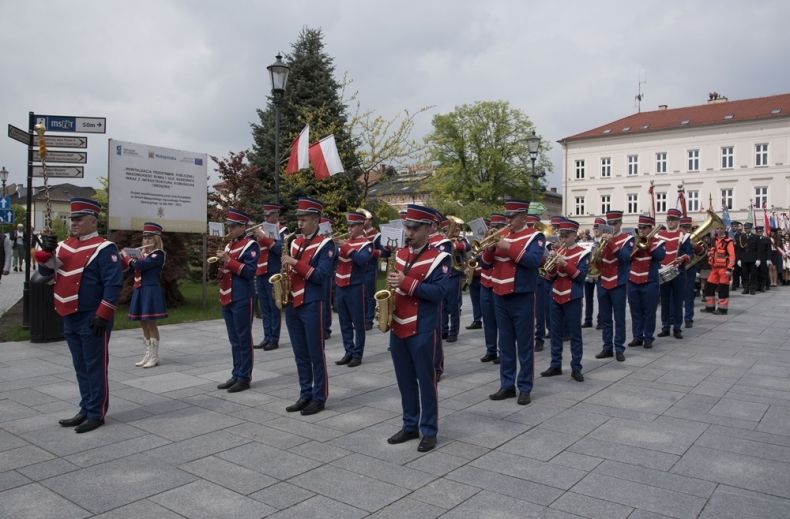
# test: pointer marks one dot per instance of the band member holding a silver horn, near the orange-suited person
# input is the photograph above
(678, 253)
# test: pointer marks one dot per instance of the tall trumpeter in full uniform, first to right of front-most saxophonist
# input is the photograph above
(515, 260)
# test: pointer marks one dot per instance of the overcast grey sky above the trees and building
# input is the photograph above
(190, 74)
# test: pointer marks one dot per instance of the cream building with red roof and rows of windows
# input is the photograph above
(732, 152)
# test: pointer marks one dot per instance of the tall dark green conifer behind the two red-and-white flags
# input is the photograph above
(312, 96)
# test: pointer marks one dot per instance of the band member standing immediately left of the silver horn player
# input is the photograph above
(643, 283)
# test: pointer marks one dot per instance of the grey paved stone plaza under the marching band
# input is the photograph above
(692, 428)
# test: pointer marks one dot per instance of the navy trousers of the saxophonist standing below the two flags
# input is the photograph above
(307, 340)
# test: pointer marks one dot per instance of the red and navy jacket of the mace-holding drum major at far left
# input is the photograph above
(88, 275)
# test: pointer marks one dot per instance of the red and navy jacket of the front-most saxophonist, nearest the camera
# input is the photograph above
(419, 296)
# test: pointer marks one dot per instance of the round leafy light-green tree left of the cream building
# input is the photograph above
(481, 154)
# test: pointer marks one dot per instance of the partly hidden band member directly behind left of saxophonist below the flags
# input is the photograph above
(268, 265)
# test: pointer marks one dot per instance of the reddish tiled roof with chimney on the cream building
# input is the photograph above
(717, 111)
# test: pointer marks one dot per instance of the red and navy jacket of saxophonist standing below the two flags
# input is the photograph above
(316, 266)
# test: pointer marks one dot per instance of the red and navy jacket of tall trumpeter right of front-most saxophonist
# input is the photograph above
(516, 272)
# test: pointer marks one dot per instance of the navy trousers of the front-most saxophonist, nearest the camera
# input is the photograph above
(413, 361)
